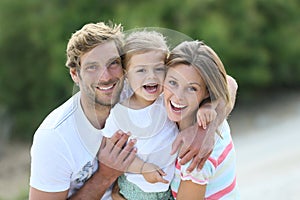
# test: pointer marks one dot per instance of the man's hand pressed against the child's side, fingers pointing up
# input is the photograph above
(114, 158)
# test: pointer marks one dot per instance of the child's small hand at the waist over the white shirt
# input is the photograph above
(153, 174)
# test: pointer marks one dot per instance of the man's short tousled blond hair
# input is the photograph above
(88, 37)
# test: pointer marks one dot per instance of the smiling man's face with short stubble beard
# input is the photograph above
(101, 75)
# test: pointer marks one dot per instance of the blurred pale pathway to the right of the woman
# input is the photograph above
(267, 142)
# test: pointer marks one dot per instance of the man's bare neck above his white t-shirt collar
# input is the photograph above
(96, 114)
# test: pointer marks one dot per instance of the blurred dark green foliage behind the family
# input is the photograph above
(256, 39)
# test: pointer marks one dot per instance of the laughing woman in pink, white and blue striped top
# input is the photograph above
(196, 75)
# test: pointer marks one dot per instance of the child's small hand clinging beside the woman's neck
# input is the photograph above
(205, 115)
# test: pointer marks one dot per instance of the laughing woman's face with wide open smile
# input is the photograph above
(184, 90)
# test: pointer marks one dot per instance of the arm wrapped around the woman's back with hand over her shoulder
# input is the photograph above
(197, 143)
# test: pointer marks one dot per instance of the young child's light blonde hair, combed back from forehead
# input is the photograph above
(143, 41)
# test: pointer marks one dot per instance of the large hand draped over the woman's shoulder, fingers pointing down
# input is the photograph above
(195, 144)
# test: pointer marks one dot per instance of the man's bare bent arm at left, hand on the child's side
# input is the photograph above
(113, 161)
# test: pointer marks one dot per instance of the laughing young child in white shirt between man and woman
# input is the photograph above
(144, 116)
